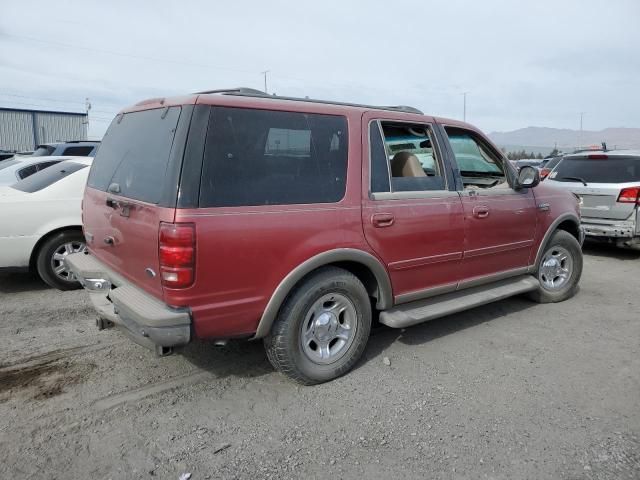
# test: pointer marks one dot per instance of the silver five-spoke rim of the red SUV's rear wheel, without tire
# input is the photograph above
(329, 328)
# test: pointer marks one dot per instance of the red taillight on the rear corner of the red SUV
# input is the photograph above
(177, 254)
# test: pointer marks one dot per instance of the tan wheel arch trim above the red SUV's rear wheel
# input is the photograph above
(363, 265)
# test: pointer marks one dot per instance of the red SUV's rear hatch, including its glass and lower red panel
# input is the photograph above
(132, 188)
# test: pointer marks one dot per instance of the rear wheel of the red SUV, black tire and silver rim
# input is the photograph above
(322, 328)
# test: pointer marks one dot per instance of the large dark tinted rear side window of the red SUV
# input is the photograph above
(260, 157)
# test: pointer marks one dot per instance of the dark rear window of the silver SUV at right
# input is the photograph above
(610, 170)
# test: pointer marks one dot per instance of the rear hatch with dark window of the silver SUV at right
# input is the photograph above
(606, 176)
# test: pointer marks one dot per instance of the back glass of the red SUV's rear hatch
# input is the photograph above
(135, 152)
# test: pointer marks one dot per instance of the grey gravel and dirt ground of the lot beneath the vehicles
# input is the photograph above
(510, 390)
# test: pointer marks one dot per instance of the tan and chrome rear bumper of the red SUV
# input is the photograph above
(145, 319)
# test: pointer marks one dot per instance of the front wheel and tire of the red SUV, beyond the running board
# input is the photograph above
(559, 270)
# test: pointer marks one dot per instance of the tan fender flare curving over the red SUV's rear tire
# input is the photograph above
(385, 293)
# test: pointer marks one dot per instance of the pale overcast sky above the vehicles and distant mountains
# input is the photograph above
(535, 63)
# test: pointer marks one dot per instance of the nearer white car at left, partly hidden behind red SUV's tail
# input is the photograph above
(40, 221)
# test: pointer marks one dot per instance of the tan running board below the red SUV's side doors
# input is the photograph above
(409, 314)
